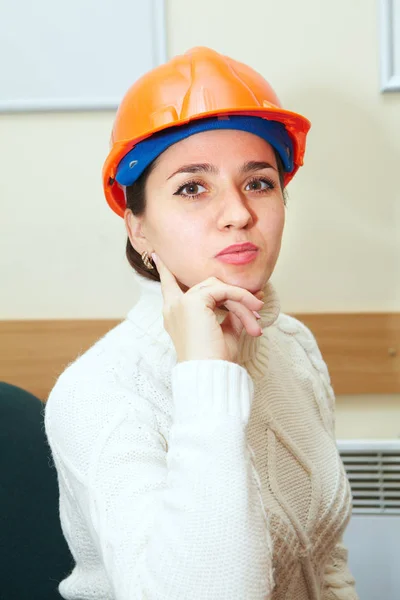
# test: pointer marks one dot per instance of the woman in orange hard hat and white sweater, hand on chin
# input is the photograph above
(194, 443)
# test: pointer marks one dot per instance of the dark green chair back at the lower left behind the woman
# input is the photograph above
(34, 555)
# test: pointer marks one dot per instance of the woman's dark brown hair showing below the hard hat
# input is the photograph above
(136, 202)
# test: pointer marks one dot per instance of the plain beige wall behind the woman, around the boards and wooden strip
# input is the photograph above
(62, 249)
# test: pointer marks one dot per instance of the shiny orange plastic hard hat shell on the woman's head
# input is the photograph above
(198, 84)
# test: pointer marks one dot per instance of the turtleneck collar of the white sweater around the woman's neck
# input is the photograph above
(147, 316)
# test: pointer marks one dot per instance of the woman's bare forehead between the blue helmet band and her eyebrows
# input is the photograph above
(223, 146)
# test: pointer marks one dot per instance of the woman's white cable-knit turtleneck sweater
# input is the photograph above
(202, 480)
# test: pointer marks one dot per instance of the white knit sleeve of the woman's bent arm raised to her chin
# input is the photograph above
(169, 523)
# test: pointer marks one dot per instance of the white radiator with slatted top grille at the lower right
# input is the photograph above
(373, 533)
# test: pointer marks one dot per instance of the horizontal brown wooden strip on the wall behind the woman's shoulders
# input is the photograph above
(362, 350)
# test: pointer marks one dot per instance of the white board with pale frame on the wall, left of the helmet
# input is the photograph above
(76, 54)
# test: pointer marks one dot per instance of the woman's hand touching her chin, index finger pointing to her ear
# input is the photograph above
(190, 320)
